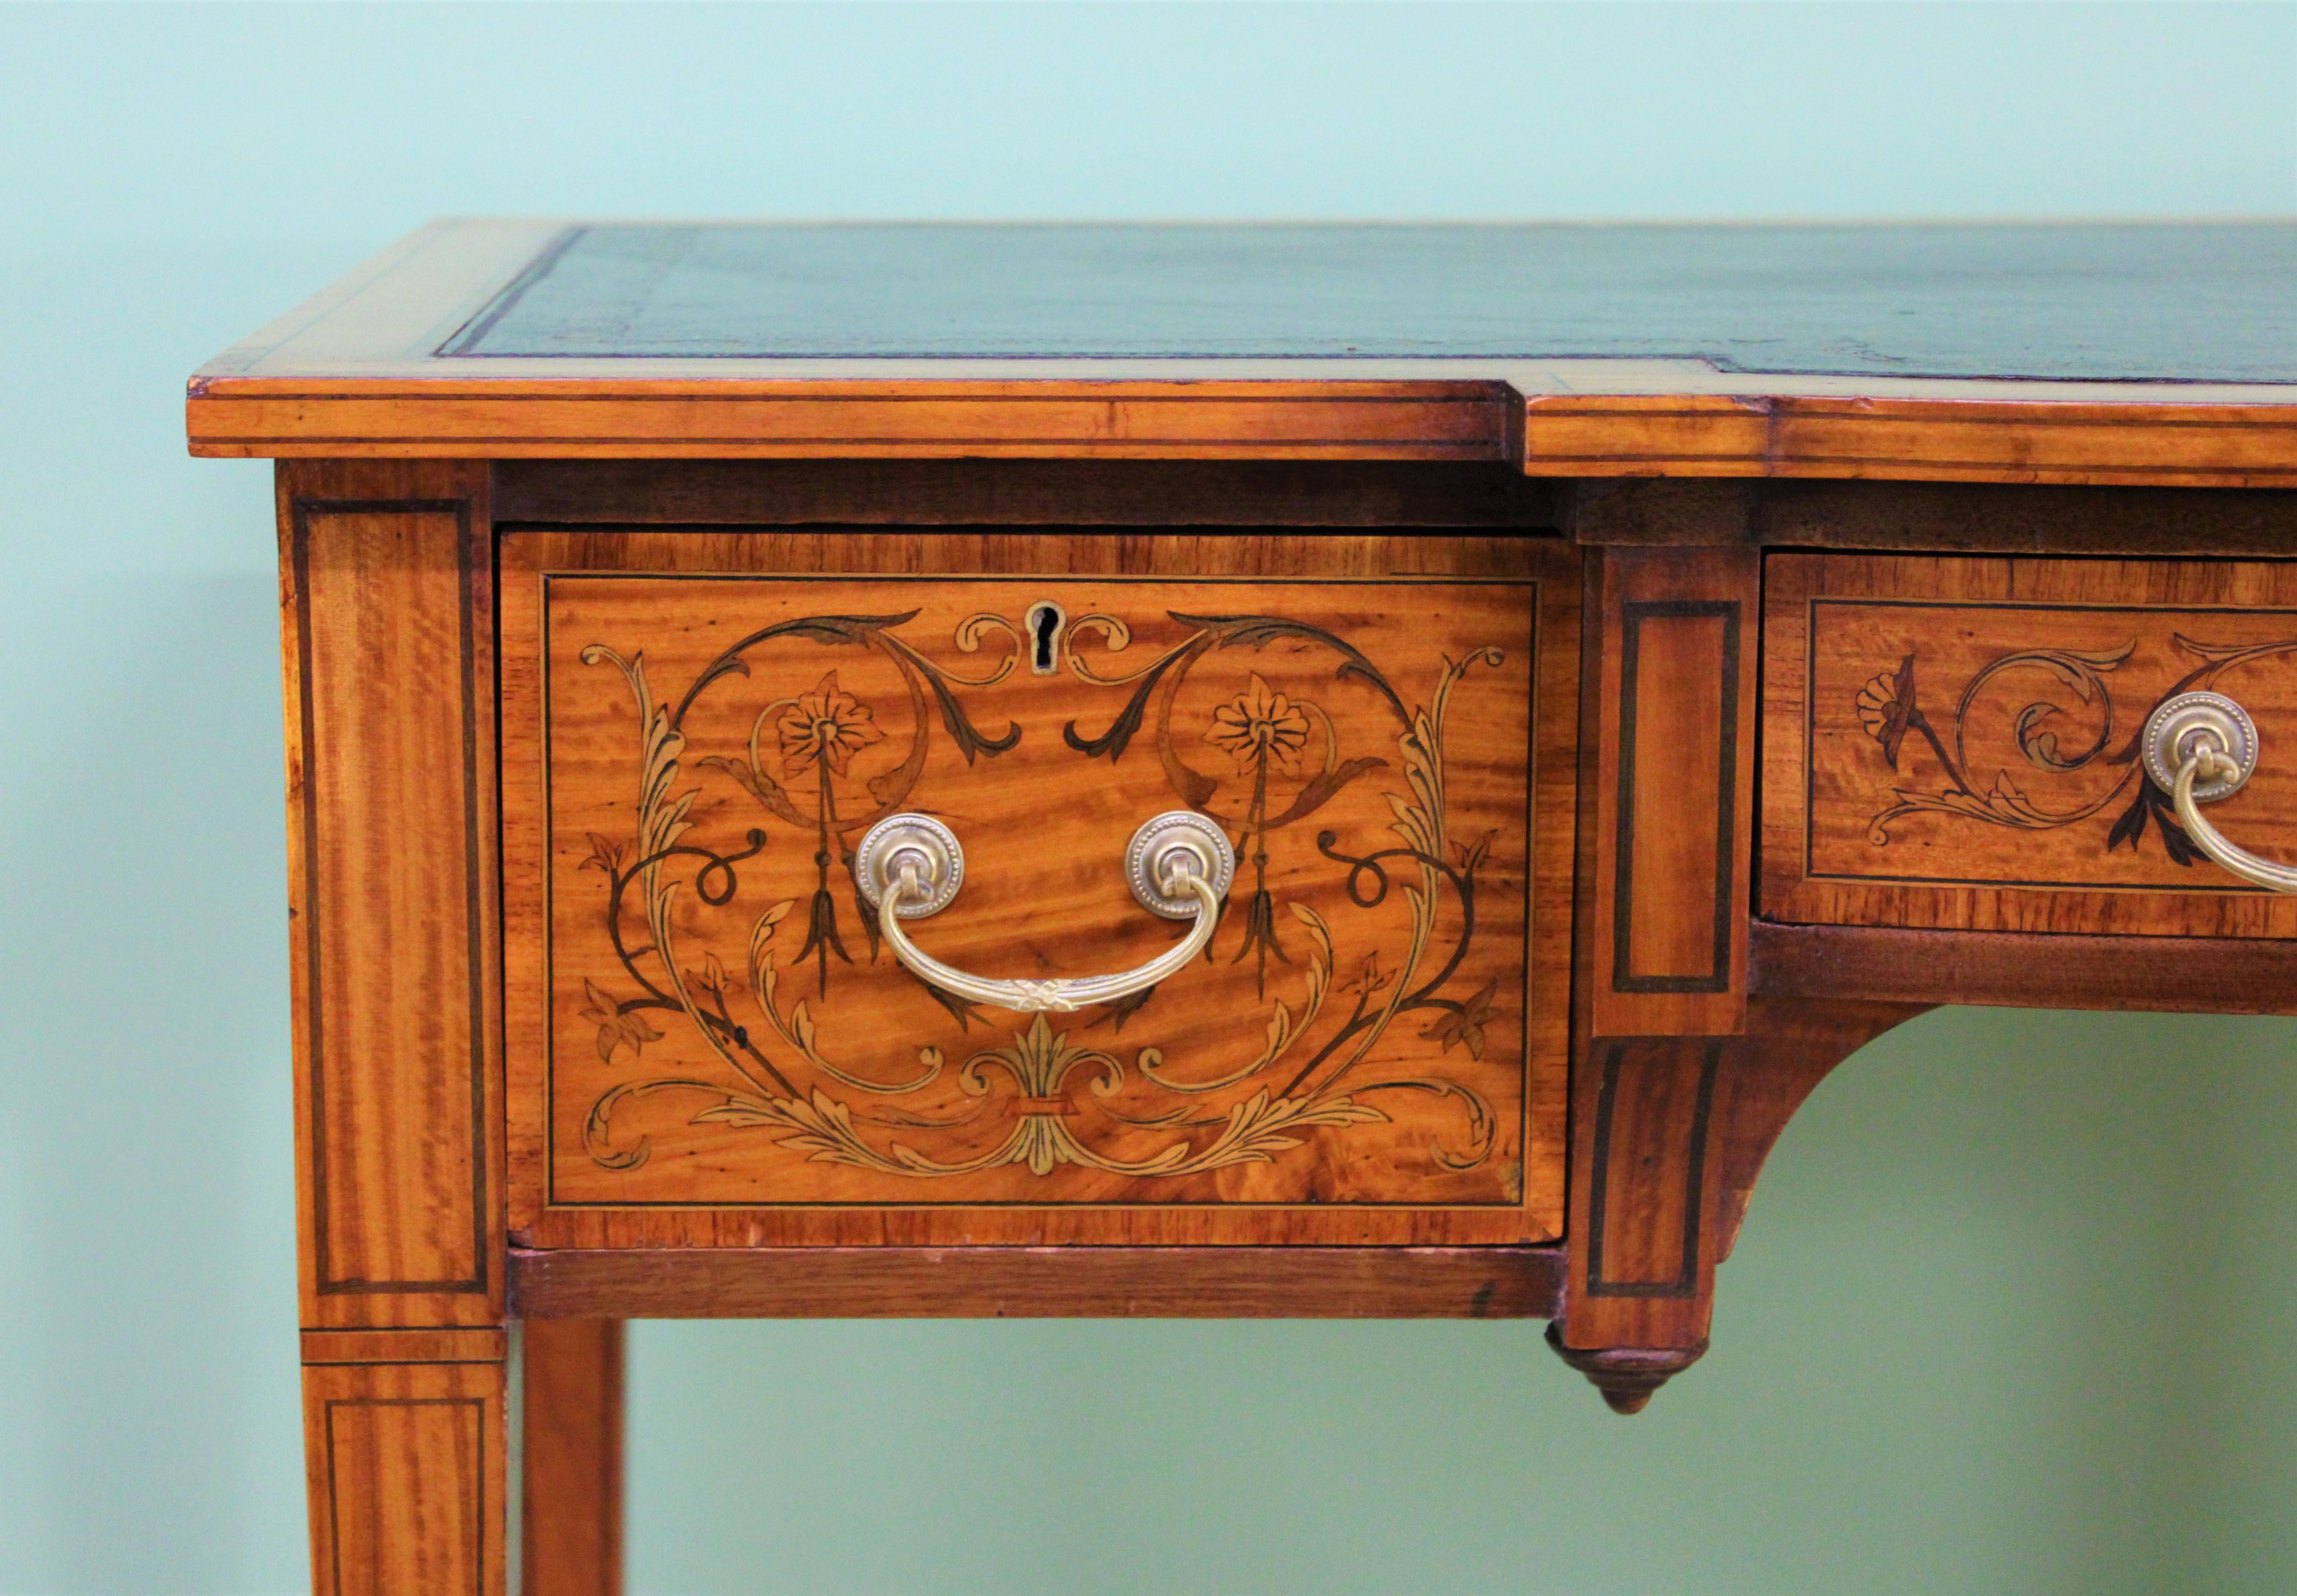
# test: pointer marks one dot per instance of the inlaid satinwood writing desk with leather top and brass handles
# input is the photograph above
(1202, 770)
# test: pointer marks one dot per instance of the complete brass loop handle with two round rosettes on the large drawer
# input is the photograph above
(1180, 865)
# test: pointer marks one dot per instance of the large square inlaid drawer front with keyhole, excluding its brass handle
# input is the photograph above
(713, 1044)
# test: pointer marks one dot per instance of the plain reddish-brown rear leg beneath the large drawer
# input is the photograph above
(573, 1457)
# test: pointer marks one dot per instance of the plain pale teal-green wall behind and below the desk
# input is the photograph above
(2018, 1303)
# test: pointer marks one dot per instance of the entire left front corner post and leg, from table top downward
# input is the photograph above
(387, 626)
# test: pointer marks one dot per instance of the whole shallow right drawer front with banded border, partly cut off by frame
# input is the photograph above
(1958, 741)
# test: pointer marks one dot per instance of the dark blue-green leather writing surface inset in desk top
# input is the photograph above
(2068, 302)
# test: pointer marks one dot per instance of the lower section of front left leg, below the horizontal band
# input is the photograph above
(408, 1475)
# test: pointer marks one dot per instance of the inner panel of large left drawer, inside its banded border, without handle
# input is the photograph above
(727, 1025)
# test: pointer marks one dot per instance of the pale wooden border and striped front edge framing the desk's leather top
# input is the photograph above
(357, 371)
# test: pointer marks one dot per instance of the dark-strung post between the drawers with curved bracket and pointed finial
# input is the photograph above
(1680, 1078)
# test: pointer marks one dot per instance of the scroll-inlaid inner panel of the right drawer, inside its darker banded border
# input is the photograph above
(2004, 743)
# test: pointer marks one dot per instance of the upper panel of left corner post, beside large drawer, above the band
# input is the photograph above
(387, 628)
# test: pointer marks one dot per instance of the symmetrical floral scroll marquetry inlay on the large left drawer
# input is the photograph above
(807, 773)
